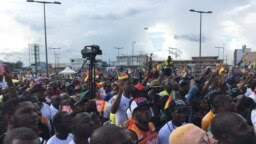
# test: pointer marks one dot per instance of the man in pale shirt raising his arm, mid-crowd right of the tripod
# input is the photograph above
(121, 101)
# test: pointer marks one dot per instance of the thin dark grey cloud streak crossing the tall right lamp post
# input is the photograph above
(190, 37)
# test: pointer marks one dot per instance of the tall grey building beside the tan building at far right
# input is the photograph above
(239, 54)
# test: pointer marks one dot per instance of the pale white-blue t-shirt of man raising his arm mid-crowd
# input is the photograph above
(121, 112)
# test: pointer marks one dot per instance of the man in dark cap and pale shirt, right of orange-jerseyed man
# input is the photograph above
(178, 112)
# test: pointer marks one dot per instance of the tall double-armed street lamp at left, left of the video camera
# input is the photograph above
(45, 35)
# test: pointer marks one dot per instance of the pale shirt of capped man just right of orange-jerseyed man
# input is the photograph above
(165, 132)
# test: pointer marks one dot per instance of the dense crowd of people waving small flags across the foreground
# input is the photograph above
(156, 106)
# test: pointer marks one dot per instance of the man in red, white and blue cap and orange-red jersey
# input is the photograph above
(140, 127)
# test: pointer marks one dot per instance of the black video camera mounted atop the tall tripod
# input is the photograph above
(91, 51)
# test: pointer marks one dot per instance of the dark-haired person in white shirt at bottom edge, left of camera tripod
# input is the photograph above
(61, 124)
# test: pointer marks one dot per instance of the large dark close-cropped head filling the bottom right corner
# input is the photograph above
(232, 128)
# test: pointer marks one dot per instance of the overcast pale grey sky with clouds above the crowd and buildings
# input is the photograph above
(117, 23)
